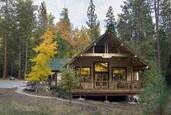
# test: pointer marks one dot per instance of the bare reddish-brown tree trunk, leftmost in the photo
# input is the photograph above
(5, 59)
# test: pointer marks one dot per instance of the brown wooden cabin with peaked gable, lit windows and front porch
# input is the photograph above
(107, 67)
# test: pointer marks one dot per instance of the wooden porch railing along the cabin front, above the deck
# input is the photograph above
(113, 85)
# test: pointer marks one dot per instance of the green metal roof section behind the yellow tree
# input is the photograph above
(57, 64)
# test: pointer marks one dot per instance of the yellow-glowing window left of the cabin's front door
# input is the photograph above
(84, 73)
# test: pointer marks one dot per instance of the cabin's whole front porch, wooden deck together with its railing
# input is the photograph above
(114, 88)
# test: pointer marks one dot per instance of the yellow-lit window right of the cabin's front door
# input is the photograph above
(119, 74)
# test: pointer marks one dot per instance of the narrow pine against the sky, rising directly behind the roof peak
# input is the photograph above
(110, 21)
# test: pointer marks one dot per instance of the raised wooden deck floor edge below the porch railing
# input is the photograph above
(104, 92)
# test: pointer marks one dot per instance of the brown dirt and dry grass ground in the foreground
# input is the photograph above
(12, 103)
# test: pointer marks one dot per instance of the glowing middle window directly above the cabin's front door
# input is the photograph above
(101, 67)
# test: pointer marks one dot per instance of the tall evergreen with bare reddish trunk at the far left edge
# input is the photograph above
(6, 26)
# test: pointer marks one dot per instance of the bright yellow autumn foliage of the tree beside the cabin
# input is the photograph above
(45, 52)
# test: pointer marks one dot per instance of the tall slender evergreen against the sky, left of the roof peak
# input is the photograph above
(93, 24)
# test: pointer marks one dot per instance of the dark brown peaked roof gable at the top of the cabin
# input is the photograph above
(115, 46)
